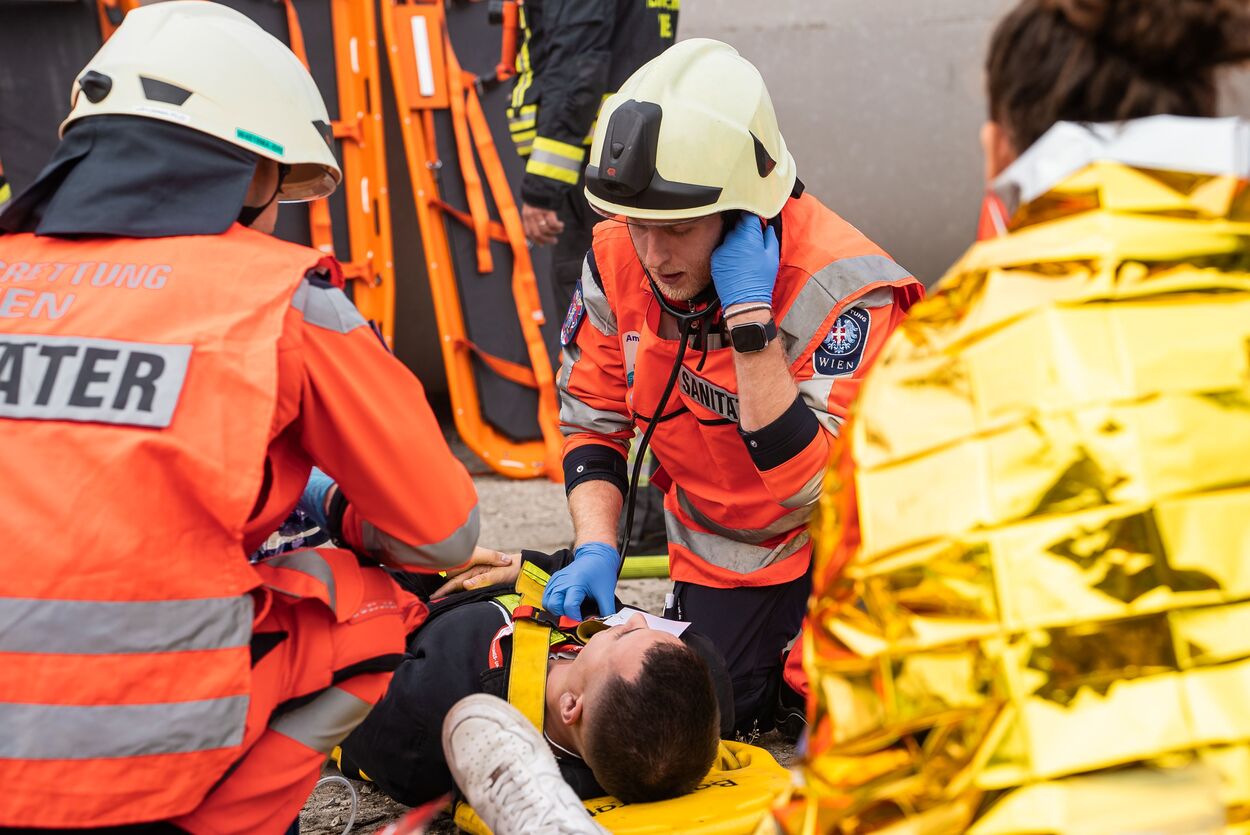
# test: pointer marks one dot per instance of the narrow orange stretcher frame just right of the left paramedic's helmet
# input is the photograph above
(359, 129)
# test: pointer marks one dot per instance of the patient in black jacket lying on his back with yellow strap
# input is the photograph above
(628, 711)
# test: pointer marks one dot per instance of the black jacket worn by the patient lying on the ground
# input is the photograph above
(399, 746)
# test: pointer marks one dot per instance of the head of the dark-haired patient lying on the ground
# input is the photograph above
(646, 711)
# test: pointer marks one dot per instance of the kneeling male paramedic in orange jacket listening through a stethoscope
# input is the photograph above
(711, 217)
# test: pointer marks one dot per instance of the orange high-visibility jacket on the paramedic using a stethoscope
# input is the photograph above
(731, 522)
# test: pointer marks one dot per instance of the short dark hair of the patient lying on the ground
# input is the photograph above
(656, 738)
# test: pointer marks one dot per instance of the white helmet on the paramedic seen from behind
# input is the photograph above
(212, 69)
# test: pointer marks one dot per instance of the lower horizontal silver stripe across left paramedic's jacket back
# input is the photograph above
(88, 733)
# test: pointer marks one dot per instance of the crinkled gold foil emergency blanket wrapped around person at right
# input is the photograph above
(1032, 606)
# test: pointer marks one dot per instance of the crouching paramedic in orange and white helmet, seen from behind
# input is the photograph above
(169, 376)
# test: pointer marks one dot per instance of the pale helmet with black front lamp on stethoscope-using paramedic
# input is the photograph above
(691, 134)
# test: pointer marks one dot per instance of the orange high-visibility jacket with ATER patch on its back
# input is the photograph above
(162, 402)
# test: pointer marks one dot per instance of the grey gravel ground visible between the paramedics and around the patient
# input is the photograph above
(516, 514)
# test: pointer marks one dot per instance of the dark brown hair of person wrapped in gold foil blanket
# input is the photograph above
(1111, 61)
